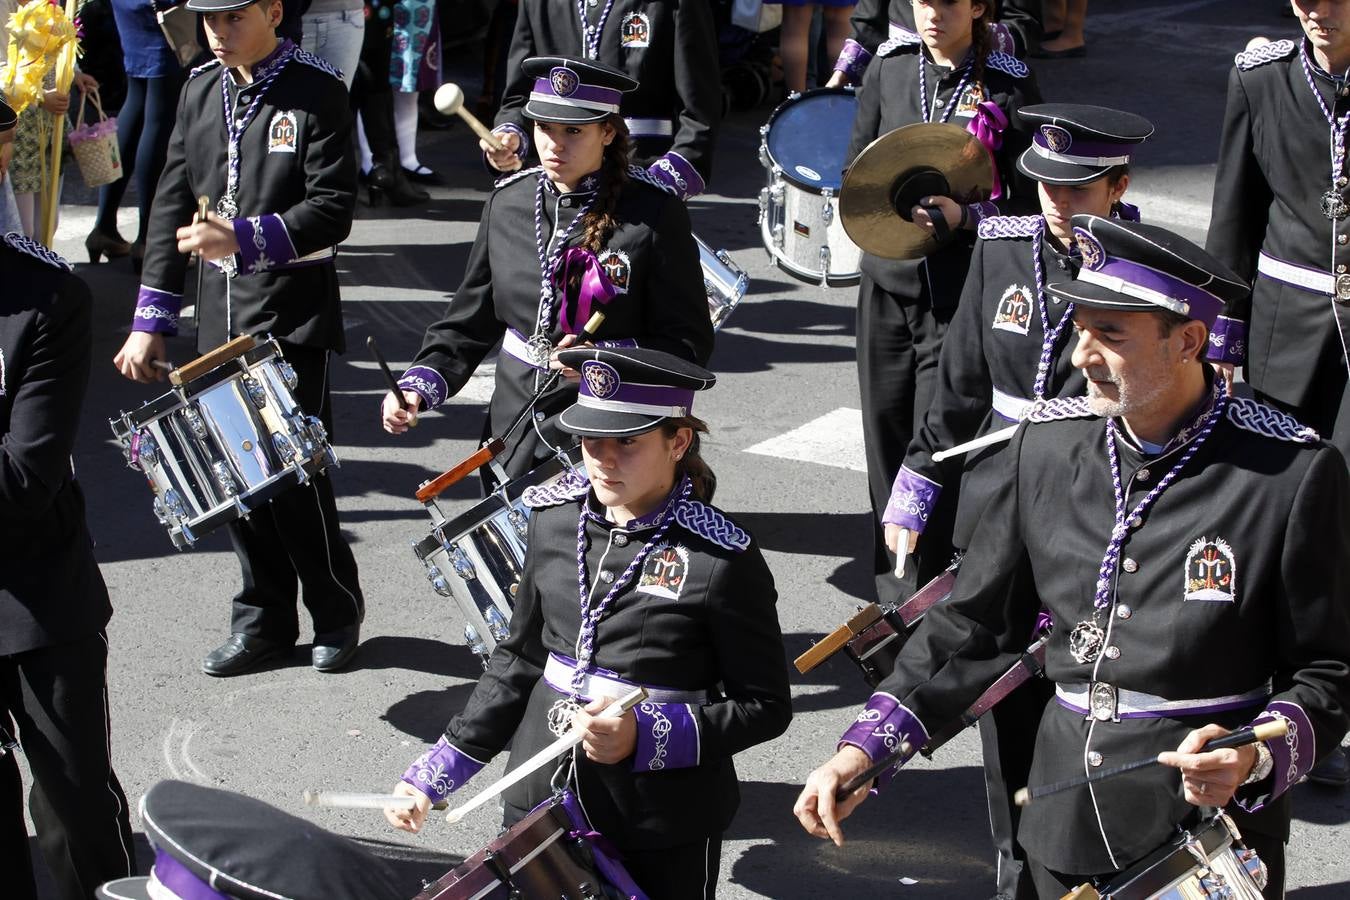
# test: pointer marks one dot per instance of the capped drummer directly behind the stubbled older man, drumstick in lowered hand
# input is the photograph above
(1006, 350)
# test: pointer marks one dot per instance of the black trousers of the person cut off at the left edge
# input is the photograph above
(59, 700)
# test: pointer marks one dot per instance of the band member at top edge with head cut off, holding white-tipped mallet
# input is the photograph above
(669, 49)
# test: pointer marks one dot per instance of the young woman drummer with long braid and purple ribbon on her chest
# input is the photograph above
(583, 233)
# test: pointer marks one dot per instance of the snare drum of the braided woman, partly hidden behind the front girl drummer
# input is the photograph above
(477, 559)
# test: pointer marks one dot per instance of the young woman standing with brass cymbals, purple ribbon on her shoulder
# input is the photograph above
(951, 76)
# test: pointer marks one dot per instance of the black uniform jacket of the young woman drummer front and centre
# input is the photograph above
(715, 628)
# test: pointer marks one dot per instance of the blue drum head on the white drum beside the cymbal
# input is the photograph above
(808, 138)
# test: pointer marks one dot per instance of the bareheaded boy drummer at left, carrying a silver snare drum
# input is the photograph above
(284, 183)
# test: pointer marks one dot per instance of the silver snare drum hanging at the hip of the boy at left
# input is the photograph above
(221, 446)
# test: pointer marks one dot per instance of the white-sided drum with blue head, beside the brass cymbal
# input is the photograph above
(805, 149)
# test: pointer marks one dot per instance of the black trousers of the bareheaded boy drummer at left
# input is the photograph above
(295, 542)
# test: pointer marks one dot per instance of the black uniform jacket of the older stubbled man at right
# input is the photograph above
(1263, 515)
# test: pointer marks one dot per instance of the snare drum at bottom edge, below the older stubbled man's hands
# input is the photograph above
(1209, 863)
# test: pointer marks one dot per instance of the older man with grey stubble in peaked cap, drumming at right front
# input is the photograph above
(1183, 522)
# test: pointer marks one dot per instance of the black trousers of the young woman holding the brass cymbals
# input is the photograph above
(898, 345)
